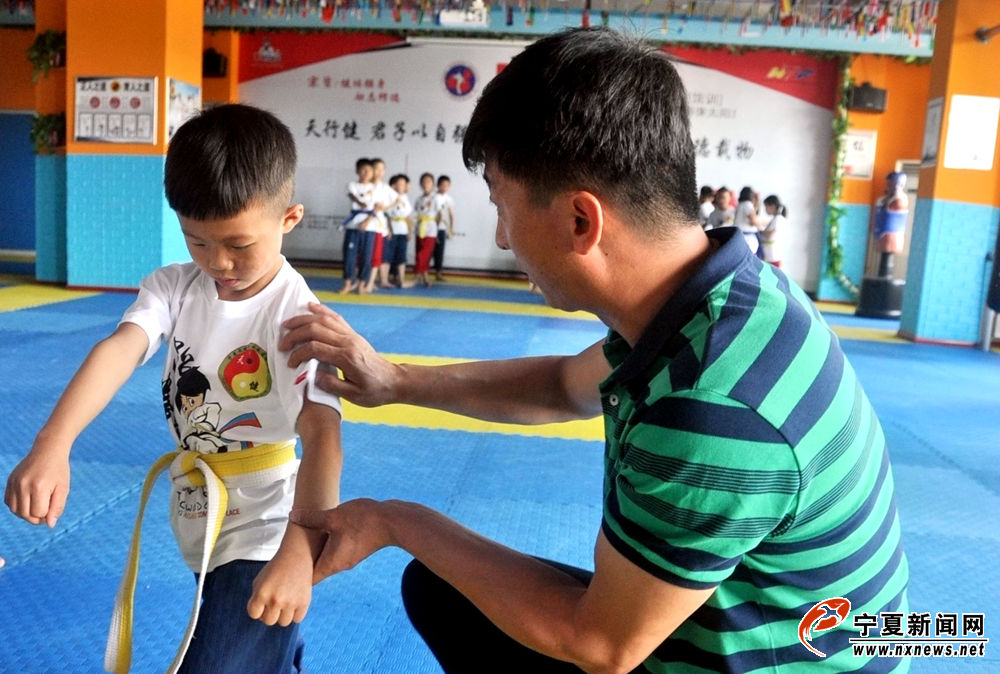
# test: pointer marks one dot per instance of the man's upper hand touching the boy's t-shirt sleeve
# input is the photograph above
(368, 379)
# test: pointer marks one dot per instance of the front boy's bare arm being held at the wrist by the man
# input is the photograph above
(283, 589)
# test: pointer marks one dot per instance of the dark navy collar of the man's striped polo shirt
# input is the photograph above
(679, 308)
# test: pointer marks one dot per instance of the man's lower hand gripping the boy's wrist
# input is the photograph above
(354, 531)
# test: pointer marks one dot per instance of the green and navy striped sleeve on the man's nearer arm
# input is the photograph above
(700, 481)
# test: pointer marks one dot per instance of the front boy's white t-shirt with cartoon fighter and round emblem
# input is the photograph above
(245, 395)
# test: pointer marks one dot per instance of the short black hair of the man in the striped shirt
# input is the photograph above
(591, 109)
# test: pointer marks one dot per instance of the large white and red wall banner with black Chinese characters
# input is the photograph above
(761, 119)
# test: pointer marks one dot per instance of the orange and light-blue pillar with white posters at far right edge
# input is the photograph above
(958, 205)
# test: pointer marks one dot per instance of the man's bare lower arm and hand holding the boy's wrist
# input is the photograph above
(611, 625)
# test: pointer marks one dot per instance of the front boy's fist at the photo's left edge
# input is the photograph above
(38, 486)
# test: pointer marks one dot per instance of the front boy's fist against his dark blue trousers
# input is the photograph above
(282, 590)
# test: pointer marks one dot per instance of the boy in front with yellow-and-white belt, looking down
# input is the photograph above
(232, 404)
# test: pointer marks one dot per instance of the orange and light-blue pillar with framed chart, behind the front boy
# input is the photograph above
(135, 55)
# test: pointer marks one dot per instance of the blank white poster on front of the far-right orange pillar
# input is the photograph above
(972, 126)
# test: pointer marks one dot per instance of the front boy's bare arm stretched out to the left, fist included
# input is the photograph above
(38, 485)
